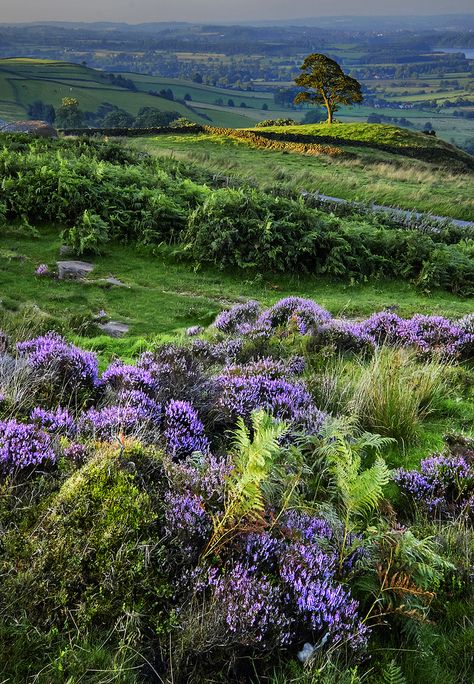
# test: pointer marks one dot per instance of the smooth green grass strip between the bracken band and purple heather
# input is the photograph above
(163, 296)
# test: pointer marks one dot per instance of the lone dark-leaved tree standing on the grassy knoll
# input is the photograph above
(327, 84)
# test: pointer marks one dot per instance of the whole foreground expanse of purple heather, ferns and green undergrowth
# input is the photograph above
(196, 515)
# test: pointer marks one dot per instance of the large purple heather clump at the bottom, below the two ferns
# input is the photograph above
(278, 585)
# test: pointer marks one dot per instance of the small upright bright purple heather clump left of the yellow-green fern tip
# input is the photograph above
(184, 432)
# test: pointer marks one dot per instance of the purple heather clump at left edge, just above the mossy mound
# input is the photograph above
(23, 445)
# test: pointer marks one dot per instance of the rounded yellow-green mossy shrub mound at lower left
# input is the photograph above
(92, 550)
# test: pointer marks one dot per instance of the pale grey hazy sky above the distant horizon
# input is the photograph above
(137, 11)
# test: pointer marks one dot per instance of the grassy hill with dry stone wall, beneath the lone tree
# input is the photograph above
(382, 164)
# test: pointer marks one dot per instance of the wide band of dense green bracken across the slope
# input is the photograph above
(96, 198)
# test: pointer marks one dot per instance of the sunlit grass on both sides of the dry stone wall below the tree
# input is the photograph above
(372, 176)
